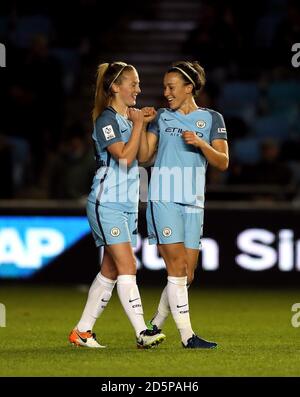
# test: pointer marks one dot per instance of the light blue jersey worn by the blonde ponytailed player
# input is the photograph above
(114, 185)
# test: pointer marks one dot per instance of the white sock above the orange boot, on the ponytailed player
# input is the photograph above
(98, 297)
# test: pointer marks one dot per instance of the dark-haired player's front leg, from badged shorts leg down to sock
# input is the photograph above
(166, 229)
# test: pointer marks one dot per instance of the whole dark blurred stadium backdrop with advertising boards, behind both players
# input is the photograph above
(251, 231)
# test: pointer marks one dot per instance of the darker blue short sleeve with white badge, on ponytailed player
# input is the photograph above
(107, 130)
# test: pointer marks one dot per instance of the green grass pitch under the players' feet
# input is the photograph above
(253, 329)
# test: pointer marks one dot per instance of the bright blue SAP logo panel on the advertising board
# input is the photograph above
(28, 243)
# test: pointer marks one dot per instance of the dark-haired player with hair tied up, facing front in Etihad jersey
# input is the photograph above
(186, 138)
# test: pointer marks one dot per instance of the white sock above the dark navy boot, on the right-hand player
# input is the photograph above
(179, 304)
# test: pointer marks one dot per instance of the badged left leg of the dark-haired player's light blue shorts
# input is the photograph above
(165, 223)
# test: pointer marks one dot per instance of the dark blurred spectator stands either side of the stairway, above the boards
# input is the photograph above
(45, 126)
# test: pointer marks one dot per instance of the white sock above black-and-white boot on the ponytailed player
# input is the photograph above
(131, 301)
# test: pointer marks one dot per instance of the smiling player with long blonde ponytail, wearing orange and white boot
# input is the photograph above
(113, 202)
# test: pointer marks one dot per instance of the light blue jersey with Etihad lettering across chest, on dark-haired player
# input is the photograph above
(179, 170)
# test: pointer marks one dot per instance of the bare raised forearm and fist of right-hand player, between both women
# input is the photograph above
(149, 140)
